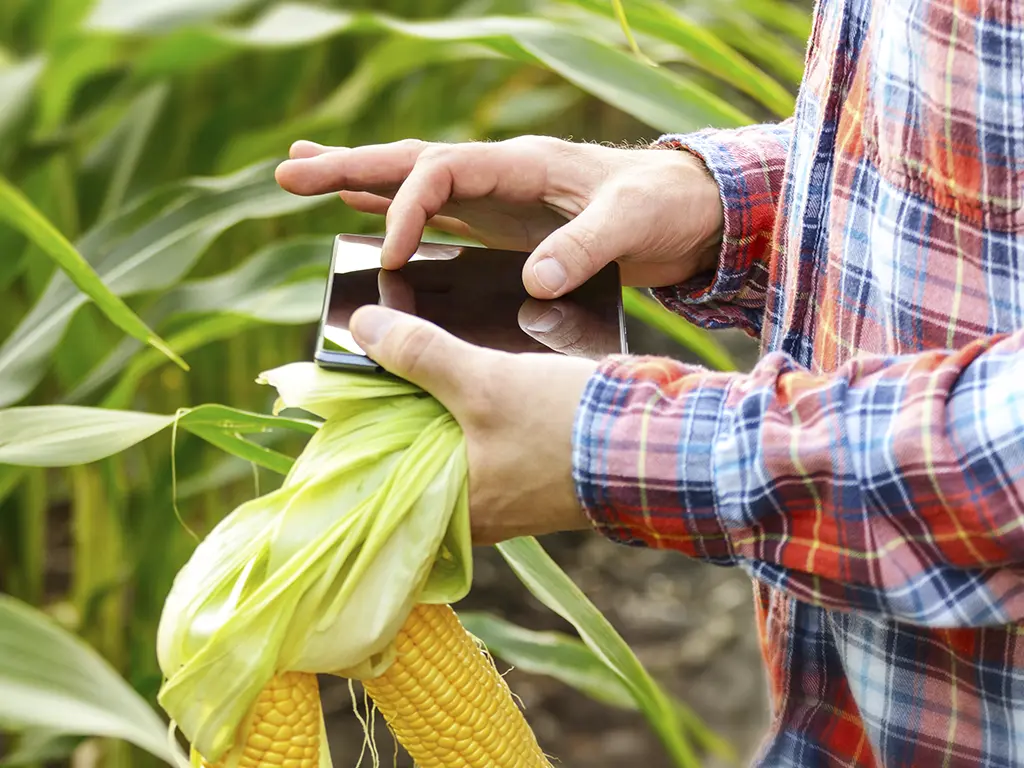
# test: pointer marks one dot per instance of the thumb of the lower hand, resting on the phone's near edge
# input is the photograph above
(415, 351)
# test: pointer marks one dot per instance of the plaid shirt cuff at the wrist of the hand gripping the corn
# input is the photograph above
(644, 455)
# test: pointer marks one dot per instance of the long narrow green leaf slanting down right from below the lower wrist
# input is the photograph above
(551, 586)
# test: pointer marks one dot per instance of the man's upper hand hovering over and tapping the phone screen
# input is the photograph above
(576, 207)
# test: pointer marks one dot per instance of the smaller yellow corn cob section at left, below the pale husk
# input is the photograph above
(285, 726)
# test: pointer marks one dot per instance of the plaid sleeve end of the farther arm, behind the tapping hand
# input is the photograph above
(749, 166)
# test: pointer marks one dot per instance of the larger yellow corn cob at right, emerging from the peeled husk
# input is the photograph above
(446, 703)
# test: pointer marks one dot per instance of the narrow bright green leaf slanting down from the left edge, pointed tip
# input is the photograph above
(20, 214)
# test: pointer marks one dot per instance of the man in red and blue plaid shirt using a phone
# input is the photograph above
(869, 474)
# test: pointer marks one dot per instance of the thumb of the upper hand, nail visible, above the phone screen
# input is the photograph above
(578, 250)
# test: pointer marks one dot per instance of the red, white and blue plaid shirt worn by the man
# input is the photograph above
(869, 474)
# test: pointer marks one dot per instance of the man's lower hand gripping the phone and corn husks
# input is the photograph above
(517, 411)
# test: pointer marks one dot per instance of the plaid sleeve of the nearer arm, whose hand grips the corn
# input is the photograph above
(893, 486)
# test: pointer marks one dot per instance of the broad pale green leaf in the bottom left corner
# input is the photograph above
(54, 681)
